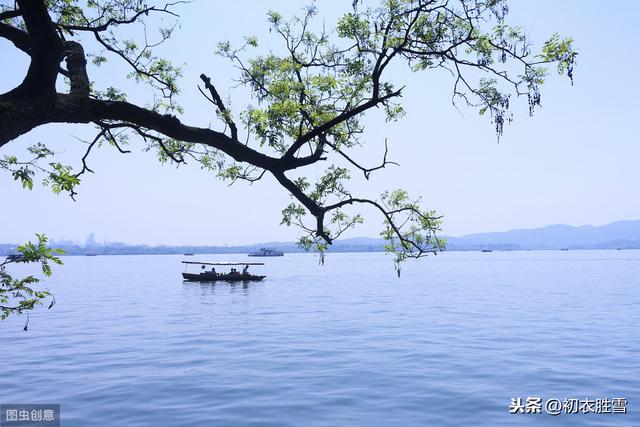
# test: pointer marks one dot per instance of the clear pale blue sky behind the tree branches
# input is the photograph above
(574, 162)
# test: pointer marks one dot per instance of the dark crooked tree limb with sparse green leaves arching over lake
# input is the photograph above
(308, 102)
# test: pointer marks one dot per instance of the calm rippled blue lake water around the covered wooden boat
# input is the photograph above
(347, 344)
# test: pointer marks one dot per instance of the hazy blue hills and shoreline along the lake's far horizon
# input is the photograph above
(617, 235)
